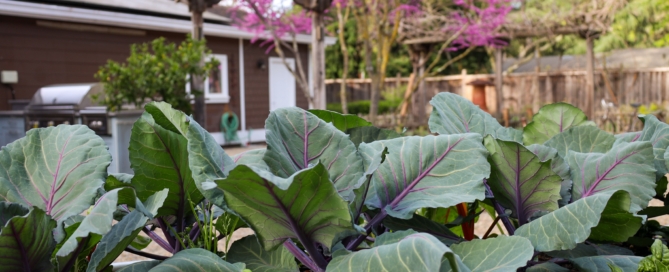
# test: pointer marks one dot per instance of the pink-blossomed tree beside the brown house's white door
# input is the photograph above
(278, 27)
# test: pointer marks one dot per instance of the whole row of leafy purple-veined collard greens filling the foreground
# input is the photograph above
(333, 193)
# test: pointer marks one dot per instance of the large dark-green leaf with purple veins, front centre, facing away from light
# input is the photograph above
(305, 206)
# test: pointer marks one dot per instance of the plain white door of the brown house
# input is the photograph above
(281, 84)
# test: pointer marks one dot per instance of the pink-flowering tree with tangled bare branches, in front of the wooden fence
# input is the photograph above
(441, 30)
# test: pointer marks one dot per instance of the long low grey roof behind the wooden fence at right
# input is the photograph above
(633, 58)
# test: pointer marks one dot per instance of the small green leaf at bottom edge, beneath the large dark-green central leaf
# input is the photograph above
(248, 251)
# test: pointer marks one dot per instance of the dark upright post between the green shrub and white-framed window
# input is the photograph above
(197, 82)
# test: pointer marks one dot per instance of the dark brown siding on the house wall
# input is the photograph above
(44, 56)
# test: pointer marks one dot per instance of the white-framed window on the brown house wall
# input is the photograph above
(216, 84)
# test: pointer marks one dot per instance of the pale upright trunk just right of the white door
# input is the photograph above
(318, 56)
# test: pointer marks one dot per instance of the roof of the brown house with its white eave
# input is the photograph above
(84, 11)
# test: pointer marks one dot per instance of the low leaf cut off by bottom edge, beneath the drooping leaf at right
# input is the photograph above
(601, 263)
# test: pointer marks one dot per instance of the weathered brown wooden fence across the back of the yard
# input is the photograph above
(529, 91)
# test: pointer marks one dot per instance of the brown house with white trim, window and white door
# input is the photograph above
(66, 41)
